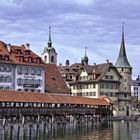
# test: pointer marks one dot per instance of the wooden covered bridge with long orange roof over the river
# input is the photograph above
(23, 107)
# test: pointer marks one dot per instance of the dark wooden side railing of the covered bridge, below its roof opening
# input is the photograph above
(27, 111)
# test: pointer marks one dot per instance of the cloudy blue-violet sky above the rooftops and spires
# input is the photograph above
(75, 24)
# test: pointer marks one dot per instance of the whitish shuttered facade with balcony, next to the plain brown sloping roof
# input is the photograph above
(29, 79)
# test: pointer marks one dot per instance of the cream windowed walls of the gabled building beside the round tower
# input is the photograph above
(108, 85)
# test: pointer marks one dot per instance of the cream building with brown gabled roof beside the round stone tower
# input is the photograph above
(97, 80)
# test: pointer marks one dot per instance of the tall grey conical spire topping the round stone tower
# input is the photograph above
(122, 60)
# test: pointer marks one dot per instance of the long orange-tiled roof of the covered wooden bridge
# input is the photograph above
(13, 96)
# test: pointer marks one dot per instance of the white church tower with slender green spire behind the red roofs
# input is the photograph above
(49, 54)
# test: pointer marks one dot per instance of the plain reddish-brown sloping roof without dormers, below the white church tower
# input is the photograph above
(54, 83)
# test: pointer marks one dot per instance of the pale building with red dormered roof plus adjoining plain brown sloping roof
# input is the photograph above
(24, 71)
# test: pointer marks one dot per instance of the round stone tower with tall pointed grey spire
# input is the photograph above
(125, 69)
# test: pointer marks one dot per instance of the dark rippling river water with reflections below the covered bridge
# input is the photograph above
(84, 131)
